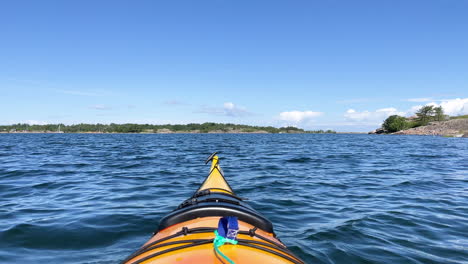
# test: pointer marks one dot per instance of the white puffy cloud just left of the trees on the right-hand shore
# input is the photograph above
(371, 117)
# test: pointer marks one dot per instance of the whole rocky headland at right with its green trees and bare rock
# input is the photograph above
(429, 120)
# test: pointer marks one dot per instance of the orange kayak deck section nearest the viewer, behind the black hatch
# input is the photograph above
(197, 245)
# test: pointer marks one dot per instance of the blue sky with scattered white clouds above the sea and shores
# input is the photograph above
(343, 65)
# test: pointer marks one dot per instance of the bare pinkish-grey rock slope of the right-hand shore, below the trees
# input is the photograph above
(450, 128)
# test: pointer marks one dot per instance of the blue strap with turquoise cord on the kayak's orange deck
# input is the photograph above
(228, 227)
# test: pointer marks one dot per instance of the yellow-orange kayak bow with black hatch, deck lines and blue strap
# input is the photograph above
(214, 226)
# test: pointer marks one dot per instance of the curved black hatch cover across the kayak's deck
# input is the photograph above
(216, 204)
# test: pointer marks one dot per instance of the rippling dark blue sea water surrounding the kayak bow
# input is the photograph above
(78, 198)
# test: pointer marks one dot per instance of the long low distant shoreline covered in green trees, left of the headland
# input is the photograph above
(220, 128)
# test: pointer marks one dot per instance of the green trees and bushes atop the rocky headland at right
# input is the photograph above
(424, 115)
